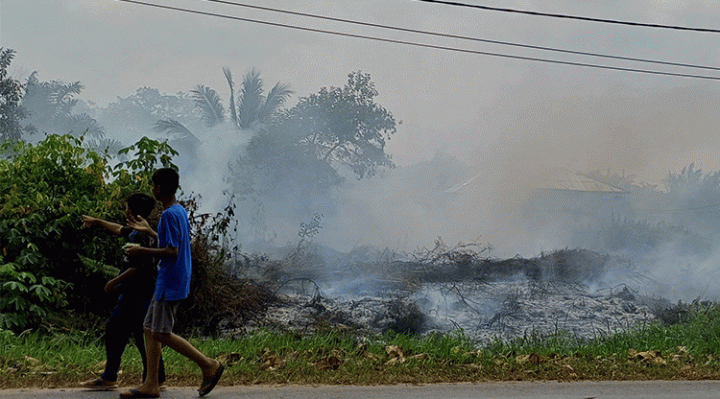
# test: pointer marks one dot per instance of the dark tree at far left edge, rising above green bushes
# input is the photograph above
(11, 91)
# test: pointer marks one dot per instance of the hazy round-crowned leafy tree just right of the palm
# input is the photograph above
(299, 157)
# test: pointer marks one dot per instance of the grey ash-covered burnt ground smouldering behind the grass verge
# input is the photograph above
(487, 299)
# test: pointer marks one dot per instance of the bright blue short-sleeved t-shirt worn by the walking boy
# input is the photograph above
(173, 280)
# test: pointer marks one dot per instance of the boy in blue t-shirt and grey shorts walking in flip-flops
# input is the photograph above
(172, 285)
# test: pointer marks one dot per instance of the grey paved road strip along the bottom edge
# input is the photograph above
(524, 390)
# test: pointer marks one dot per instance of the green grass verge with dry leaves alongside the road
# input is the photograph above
(687, 350)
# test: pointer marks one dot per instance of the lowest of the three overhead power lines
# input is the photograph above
(416, 44)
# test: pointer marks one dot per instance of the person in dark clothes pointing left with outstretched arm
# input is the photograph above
(135, 284)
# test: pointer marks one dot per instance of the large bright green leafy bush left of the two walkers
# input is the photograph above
(48, 262)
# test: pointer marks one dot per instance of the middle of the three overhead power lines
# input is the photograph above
(451, 36)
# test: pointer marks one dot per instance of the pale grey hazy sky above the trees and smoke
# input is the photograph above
(484, 109)
